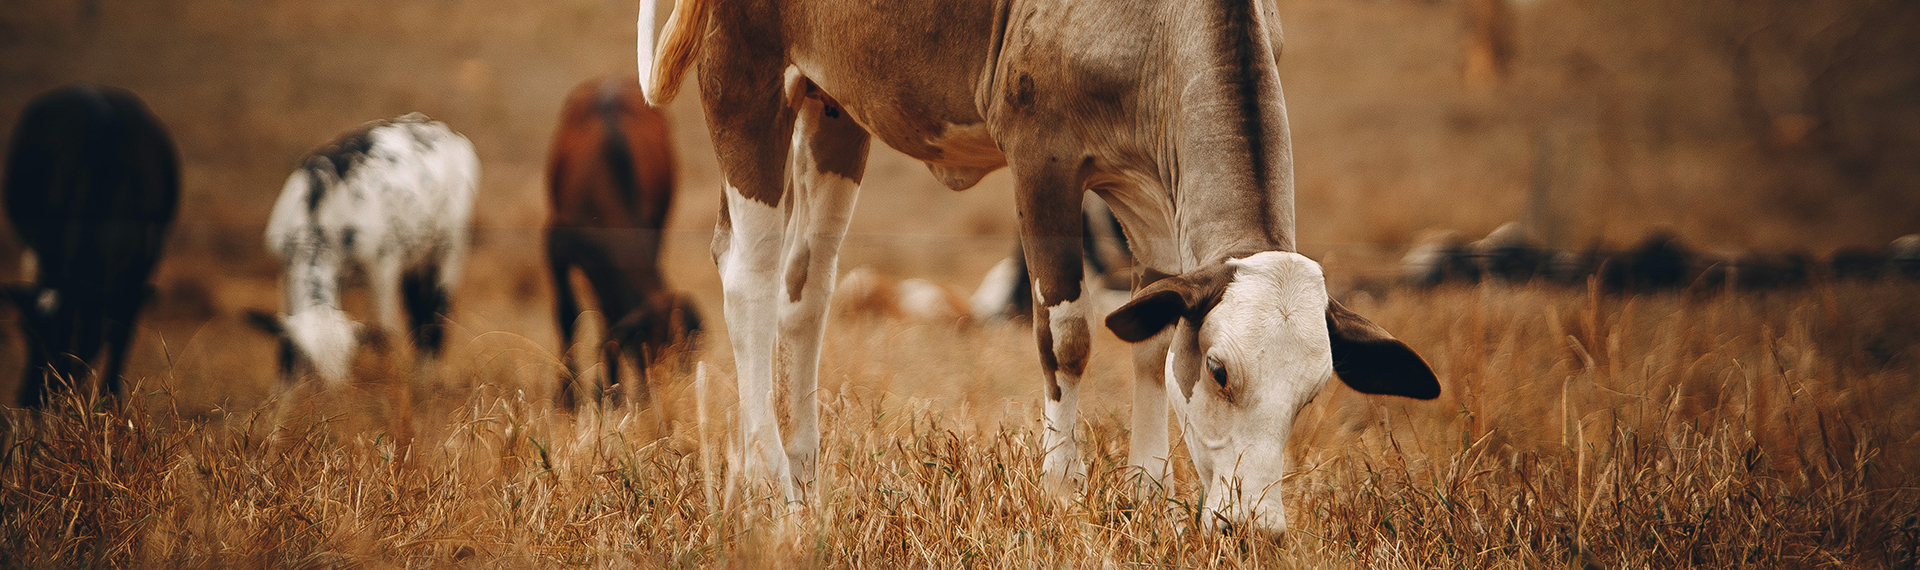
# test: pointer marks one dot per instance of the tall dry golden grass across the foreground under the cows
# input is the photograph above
(1575, 431)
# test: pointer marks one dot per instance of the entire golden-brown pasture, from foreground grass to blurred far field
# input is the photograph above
(1575, 429)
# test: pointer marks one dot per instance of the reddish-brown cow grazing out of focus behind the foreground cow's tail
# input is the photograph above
(610, 187)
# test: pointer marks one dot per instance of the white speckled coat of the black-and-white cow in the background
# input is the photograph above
(406, 204)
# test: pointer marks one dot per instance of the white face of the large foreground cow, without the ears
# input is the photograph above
(1270, 337)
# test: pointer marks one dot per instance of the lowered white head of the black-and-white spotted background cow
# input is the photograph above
(318, 339)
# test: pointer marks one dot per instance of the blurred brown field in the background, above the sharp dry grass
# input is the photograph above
(1777, 126)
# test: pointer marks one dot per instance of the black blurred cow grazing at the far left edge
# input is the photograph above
(91, 187)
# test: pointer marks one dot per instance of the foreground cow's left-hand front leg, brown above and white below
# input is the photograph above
(1051, 231)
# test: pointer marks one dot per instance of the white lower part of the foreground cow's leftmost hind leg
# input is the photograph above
(750, 275)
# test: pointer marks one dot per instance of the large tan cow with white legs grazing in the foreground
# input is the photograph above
(1170, 110)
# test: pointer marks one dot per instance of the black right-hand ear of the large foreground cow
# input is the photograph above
(1374, 362)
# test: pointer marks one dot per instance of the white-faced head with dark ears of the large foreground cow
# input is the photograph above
(1257, 339)
